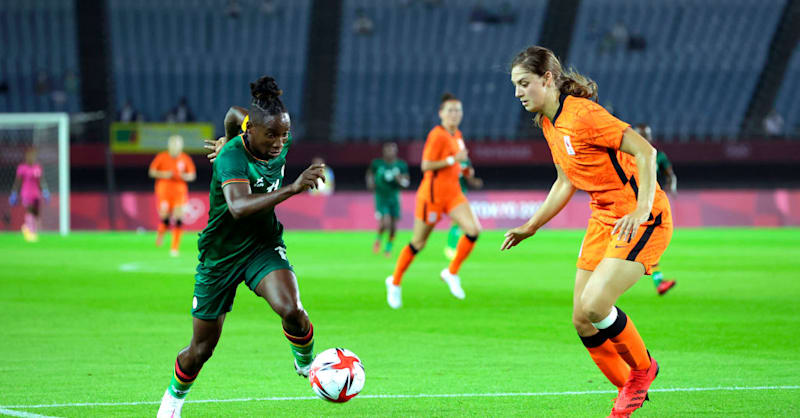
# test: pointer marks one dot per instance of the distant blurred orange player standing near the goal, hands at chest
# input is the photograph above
(172, 169)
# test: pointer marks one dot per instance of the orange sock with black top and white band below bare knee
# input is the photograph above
(626, 339)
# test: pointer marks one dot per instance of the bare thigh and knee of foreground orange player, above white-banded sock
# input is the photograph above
(611, 278)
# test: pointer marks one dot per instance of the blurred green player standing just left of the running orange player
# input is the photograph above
(385, 177)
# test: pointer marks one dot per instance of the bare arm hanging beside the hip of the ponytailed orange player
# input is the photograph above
(634, 144)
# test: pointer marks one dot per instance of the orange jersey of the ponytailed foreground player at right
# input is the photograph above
(584, 140)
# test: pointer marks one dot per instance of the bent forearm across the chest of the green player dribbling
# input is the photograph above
(242, 202)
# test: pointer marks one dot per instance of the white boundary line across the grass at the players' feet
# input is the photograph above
(414, 396)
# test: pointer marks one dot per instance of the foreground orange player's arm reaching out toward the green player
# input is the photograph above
(560, 193)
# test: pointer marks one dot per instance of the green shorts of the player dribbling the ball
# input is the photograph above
(214, 292)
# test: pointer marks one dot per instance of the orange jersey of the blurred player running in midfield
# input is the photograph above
(444, 182)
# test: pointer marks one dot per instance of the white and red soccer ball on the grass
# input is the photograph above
(337, 375)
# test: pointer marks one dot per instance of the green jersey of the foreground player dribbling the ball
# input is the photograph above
(225, 242)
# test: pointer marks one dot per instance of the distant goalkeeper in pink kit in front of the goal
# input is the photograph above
(30, 187)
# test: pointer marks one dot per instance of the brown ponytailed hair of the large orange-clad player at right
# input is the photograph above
(539, 60)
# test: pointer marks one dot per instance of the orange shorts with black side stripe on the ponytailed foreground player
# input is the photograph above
(645, 247)
